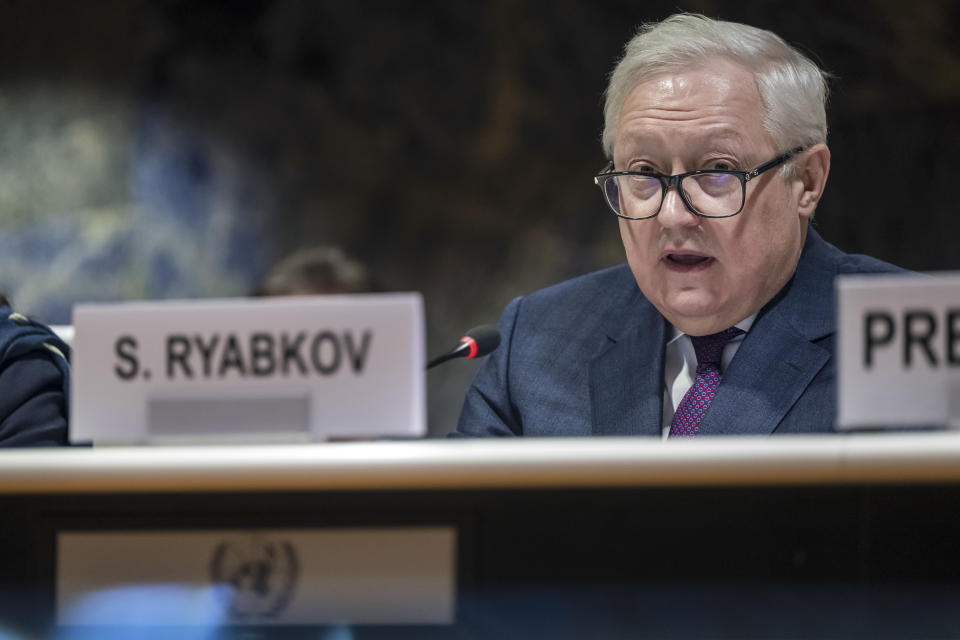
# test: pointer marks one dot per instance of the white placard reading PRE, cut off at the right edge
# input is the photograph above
(899, 351)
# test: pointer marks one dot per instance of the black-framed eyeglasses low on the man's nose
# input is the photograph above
(710, 194)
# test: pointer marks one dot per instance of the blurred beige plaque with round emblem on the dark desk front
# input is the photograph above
(370, 575)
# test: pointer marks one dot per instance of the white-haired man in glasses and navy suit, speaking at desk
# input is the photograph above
(723, 320)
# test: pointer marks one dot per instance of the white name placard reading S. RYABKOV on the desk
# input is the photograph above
(283, 369)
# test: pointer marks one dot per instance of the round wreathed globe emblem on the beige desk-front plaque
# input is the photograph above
(260, 575)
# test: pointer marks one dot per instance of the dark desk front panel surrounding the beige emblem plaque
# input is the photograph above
(806, 561)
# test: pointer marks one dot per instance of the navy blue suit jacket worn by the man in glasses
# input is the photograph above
(585, 357)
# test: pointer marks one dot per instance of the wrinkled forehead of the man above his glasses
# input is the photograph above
(717, 102)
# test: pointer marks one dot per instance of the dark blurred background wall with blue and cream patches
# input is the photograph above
(179, 148)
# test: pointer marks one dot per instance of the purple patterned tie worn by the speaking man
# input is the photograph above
(694, 405)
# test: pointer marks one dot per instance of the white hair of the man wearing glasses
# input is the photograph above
(793, 89)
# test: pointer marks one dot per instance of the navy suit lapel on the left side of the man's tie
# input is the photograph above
(626, 378)
